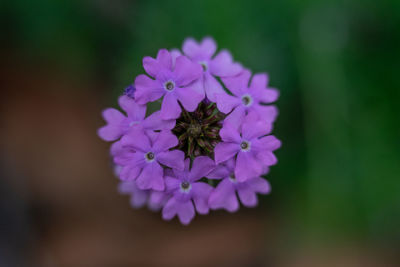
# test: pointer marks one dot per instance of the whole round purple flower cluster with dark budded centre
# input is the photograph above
(208, 145)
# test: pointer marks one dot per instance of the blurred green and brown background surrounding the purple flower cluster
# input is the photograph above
(336, 189)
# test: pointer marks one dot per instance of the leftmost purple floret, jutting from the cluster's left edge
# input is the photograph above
(118, 124)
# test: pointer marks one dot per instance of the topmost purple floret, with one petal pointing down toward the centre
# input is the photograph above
(221, 65)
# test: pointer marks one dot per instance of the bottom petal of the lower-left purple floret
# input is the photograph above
(151, 177)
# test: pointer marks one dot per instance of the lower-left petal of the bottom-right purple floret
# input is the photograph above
(224, 197)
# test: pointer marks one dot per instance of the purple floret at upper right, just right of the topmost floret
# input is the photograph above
(248, 97)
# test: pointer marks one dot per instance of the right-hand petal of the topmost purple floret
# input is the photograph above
(222, 65)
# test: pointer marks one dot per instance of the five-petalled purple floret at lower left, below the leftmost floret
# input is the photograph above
(143, 155)
